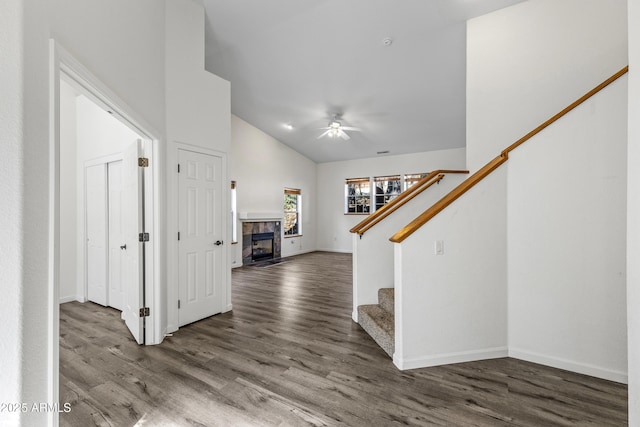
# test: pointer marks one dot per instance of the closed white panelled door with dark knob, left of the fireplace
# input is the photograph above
(200, 254)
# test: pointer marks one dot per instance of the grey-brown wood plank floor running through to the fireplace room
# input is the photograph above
(290, 355)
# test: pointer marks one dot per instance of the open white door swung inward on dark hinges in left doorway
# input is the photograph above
(133, 250)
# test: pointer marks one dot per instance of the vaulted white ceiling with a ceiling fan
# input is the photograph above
(299, 62)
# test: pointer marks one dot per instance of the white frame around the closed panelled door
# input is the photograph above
(173, 292)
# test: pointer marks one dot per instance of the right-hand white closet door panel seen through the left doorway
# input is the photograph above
(116, 235)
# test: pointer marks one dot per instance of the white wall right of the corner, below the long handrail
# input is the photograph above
(567, 241)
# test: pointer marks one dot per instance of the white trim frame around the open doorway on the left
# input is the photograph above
(63, 65)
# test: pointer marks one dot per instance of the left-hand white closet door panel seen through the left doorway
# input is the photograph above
(96, 229)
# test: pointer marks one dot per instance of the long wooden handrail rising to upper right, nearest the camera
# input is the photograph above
(467, 184)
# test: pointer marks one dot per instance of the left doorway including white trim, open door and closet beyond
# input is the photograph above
(107, 229)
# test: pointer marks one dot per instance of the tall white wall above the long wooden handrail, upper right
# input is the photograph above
(531, 60)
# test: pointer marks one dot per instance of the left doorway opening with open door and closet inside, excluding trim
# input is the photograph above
(105, 182)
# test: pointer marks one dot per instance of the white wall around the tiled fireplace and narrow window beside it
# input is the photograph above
(262, 168)
